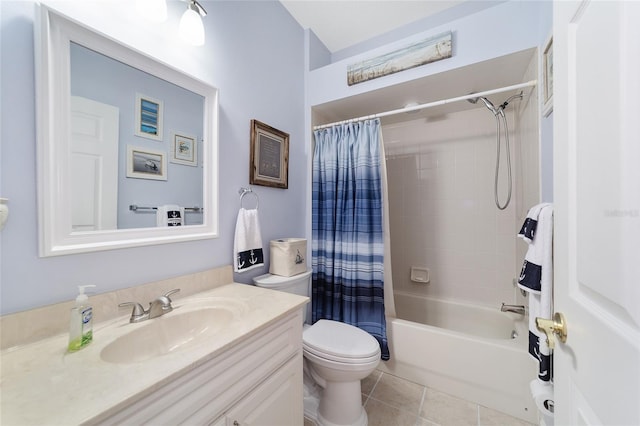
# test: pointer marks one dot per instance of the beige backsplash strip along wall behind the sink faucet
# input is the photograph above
(33, 325)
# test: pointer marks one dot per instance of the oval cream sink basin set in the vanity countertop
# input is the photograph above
(184, 326)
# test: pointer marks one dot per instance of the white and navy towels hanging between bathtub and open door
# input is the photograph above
(536, 278)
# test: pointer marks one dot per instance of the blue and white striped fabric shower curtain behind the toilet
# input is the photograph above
(347, 244)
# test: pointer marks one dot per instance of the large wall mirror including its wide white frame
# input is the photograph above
(126, 145)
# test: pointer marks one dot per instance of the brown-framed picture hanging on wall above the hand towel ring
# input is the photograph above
(269, 164)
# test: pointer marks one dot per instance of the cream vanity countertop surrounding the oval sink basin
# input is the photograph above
(43, 384)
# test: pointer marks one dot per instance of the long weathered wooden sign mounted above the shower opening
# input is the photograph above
(417, 54)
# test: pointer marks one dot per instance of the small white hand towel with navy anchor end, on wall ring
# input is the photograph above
(247, 244)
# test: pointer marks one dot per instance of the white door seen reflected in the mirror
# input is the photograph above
(94, 165)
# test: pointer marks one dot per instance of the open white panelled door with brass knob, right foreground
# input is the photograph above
(597, 215)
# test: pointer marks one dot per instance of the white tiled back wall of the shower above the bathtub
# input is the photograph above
(442, 212)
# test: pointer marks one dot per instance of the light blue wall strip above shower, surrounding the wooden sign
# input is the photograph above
(505, 28)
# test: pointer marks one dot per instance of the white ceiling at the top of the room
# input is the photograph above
(343, 23)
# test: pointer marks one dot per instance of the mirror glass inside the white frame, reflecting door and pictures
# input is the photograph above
(136, 144)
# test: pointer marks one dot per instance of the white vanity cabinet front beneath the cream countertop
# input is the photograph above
(255, 382)
